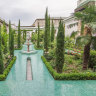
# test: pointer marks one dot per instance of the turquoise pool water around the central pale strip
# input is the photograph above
(43, 83)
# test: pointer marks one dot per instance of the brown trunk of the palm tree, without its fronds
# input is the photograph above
(86, 54)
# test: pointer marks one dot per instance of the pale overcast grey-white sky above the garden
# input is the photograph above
(29, 10)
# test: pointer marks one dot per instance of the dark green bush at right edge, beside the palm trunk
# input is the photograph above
(92, 59)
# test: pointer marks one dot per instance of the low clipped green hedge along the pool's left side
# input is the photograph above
(7, 70)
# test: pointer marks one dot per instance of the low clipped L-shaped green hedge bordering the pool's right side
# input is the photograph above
(69, 76)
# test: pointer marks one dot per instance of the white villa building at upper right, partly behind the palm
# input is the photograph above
(71, 24)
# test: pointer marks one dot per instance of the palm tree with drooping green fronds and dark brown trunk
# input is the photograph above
(88, 19)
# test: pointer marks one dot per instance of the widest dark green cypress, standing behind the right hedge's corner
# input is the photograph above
(60, 48)
